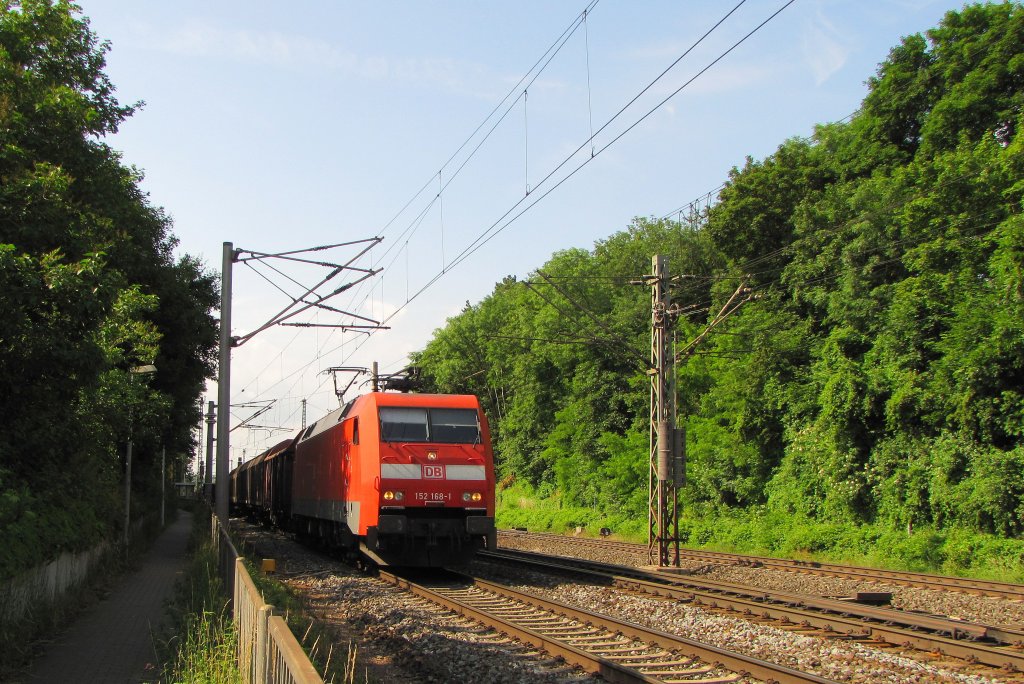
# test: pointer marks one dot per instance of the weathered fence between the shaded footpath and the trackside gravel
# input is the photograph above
(269, 653)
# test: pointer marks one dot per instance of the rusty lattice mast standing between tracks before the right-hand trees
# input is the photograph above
(667, 468)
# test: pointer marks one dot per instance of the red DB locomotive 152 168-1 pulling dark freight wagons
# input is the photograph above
(406, 480)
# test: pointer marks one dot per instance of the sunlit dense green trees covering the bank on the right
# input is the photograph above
(879, 377)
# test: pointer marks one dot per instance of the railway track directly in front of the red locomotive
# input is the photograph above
(619, 652)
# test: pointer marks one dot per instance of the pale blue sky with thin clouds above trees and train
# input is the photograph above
(476, 139)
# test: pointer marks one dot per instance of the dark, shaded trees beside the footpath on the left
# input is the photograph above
(90, 290)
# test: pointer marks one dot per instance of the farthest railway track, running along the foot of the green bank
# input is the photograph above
(1001, 590)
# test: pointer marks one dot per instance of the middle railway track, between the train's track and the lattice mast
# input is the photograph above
(993, 647)
